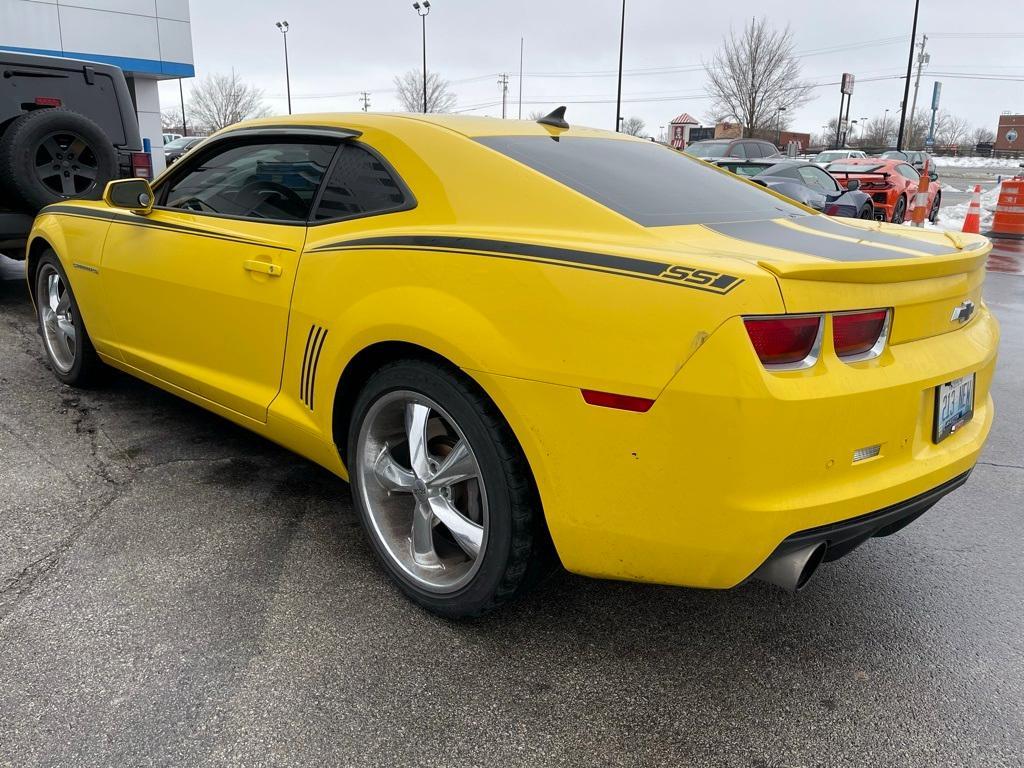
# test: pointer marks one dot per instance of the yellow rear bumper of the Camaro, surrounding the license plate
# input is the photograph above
(733, 461)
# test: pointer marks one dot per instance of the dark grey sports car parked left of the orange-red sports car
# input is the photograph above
(806, 184)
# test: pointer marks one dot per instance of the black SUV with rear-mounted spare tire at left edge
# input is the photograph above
(67, 129)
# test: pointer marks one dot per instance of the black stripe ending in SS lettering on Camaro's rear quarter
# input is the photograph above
(700, 280)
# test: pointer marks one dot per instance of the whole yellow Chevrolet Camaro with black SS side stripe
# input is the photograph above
(520, 340)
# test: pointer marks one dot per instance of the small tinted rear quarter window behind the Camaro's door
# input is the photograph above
(360, 185)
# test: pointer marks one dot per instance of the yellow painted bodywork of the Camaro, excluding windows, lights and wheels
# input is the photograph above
(730, 461)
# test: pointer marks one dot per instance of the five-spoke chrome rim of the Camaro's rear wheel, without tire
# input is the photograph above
(423, 491)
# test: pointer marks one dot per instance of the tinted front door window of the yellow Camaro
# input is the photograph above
(260, 181)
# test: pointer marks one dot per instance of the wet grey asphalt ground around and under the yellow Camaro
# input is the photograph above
(175, 591)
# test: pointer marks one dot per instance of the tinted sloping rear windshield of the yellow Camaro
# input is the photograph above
(646, 182)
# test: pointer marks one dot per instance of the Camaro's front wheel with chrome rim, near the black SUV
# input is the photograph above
(66, 340)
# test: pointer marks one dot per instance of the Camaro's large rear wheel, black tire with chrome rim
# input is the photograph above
(443, 490)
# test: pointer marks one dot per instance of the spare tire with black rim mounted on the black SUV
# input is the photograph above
(53, 155)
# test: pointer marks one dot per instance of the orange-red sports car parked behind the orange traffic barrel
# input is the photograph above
(892, 184)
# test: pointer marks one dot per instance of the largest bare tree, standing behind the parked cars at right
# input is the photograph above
(756, 76)
